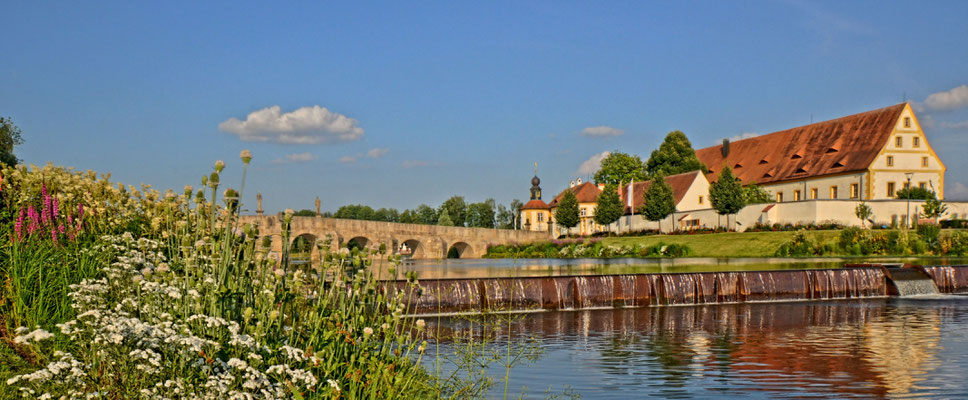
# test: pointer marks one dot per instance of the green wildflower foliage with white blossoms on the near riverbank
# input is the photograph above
(203, 310)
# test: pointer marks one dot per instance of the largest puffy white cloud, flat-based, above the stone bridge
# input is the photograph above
(306, 125)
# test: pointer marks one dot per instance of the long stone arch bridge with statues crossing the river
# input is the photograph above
(422, 241)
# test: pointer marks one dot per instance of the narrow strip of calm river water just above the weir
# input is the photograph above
(487, 268)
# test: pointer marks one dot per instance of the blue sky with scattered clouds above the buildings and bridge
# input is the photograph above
(394, 104)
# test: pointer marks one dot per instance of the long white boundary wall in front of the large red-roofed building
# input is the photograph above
(800, 212)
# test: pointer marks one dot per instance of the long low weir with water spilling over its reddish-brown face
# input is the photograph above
(642, 290)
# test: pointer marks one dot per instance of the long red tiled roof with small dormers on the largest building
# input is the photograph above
(845, 144)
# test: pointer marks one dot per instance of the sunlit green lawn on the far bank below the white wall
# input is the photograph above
(731, 244)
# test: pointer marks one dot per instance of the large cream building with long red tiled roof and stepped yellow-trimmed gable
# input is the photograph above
(866, 156)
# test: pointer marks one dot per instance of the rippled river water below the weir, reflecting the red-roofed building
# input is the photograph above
(862, 348)
